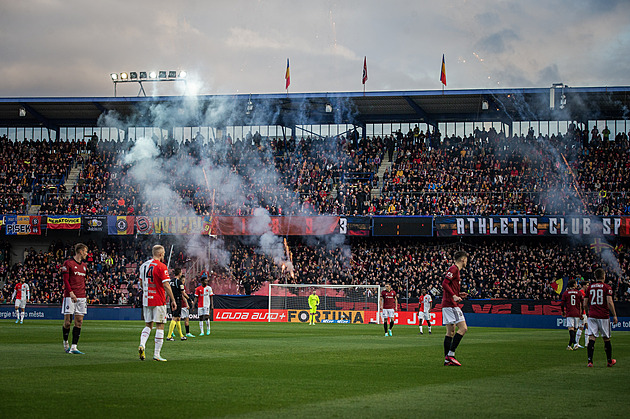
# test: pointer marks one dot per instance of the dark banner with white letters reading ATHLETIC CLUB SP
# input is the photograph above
(509, 225)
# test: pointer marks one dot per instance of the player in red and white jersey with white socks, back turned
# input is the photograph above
(155, 287)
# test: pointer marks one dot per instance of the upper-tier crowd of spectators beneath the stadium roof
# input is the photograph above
(482, 173)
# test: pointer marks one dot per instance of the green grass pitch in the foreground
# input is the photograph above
(293, 370)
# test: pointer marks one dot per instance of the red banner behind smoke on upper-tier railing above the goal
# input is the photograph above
(280, 226)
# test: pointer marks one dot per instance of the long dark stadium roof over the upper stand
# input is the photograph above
(432, 107)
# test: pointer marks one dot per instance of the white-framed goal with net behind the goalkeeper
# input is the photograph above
(337, 303)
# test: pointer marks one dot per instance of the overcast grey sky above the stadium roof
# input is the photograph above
(69, 47)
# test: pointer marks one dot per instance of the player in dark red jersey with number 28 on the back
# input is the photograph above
(600, 304)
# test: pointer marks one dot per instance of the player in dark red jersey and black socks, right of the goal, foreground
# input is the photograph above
(452, 315)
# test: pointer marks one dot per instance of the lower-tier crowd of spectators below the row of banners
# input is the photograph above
(497, 268)
